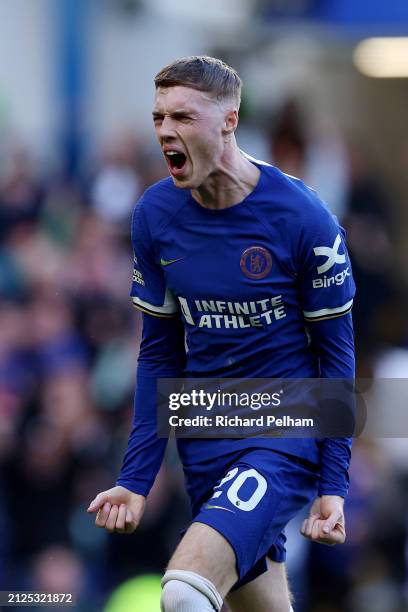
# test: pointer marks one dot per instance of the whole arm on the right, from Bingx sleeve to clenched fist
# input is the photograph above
(326, 293)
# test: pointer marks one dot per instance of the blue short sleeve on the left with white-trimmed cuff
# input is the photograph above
(149, 292)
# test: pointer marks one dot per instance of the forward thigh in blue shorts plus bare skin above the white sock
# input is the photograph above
(246, 512)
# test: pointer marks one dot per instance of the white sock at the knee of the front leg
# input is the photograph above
(185, 591)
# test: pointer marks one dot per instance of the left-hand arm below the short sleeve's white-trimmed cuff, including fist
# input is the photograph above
(161, 355)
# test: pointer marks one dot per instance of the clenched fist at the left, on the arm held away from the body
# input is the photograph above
(118, 509)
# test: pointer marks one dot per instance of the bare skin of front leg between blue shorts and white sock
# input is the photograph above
(205, 551)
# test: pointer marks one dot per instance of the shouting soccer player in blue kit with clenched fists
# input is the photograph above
(240, 271)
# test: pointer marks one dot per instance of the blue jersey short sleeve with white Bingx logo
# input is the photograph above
(324, 270)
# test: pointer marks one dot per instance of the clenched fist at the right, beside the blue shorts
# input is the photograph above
(326, 521)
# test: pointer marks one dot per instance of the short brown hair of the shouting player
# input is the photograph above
(203, 73)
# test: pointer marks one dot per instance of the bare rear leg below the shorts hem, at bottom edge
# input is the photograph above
(267, 593)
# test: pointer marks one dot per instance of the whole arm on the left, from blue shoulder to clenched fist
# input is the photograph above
(161, 355)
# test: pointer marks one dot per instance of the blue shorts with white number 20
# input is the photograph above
(249, 498)
